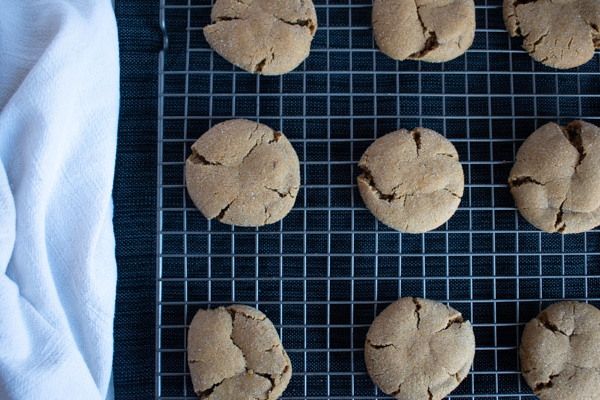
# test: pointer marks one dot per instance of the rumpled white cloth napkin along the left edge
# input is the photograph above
(59, 99)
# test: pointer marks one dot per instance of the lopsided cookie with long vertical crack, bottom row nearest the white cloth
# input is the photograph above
(234, 353)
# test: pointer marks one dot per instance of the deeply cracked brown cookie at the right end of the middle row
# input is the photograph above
(556, 179)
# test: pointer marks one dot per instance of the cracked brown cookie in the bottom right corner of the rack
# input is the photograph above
(560, 356)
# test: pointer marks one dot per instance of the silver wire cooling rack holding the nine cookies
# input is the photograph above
(324, 272)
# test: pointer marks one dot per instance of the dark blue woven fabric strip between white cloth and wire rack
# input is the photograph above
(135, 199)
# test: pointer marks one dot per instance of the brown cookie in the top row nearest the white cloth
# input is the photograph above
(269, 37)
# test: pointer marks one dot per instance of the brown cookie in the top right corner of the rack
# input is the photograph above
(560, 34)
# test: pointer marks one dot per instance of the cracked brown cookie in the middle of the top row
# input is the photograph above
(428, 30)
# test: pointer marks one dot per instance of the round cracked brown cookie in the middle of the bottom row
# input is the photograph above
(419, 349)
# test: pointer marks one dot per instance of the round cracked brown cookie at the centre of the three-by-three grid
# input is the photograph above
(411, 181)
